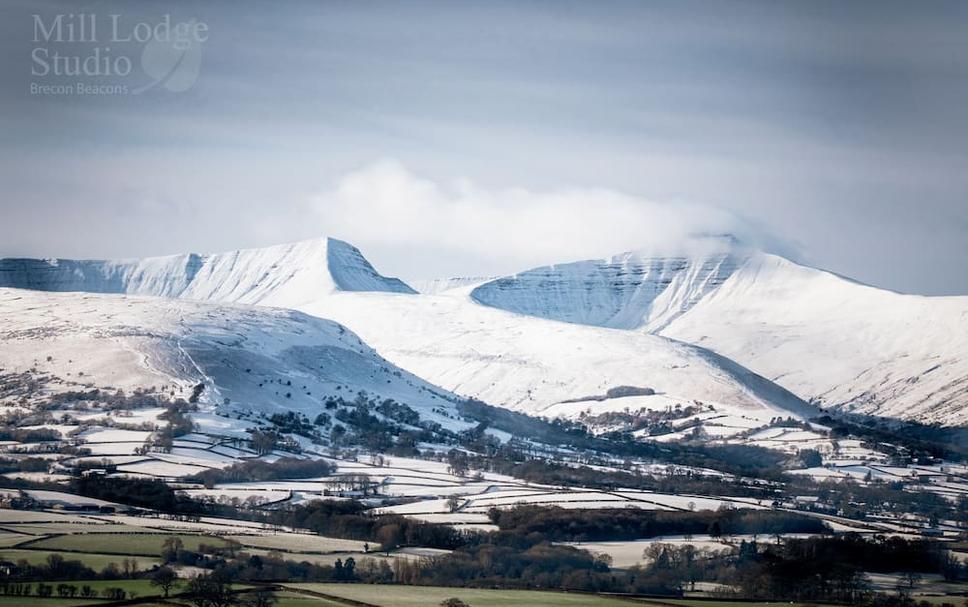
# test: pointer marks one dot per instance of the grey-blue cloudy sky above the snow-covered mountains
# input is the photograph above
(478, 138)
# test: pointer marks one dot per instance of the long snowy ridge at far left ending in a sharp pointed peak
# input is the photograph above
(283, 275)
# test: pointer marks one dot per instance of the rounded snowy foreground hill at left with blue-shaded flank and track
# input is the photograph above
(136, 342)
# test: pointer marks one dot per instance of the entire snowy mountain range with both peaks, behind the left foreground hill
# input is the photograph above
(708, 322)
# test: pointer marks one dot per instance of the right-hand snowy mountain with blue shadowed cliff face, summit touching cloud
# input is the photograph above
(824, 337)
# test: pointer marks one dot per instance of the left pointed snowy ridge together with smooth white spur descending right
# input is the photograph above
(451, 340)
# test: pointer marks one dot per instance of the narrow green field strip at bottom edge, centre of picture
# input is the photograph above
(431, 596)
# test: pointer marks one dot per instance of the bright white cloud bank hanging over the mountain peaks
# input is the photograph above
(388, 206)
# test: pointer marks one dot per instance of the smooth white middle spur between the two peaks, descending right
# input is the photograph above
(531, 364)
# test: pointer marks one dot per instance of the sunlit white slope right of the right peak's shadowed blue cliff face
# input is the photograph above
(845, 344)
